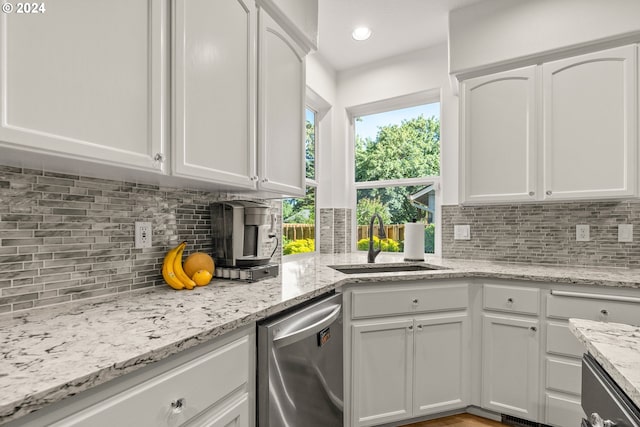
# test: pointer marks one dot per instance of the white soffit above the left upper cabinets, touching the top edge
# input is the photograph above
(298, 17)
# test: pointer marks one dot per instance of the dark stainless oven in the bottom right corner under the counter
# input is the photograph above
(605, 404)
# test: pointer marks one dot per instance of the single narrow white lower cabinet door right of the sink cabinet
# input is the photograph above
(510, 366)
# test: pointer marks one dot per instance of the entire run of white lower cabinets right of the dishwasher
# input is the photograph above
(431, 347)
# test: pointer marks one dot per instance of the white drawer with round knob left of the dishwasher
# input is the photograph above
(199, 384)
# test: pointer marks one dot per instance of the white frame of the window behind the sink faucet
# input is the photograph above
(382, 106)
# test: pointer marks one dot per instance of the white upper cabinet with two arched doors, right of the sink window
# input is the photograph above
(564, 130)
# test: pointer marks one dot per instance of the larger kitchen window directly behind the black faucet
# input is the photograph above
(397, 167)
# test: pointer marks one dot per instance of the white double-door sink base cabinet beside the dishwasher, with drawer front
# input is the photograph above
(409, 354)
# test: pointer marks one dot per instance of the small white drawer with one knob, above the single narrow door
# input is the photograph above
(512, 299)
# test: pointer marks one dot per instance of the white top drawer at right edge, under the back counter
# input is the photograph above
(594, 307)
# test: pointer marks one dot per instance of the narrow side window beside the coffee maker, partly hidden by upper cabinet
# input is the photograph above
(299, 215)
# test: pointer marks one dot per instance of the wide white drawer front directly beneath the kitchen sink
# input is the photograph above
(370, 303)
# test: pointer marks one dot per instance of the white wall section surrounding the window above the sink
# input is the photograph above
(402, 75)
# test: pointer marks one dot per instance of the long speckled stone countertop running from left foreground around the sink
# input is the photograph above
(56, 352)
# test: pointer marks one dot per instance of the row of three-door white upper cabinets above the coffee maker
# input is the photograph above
(88, 80)
